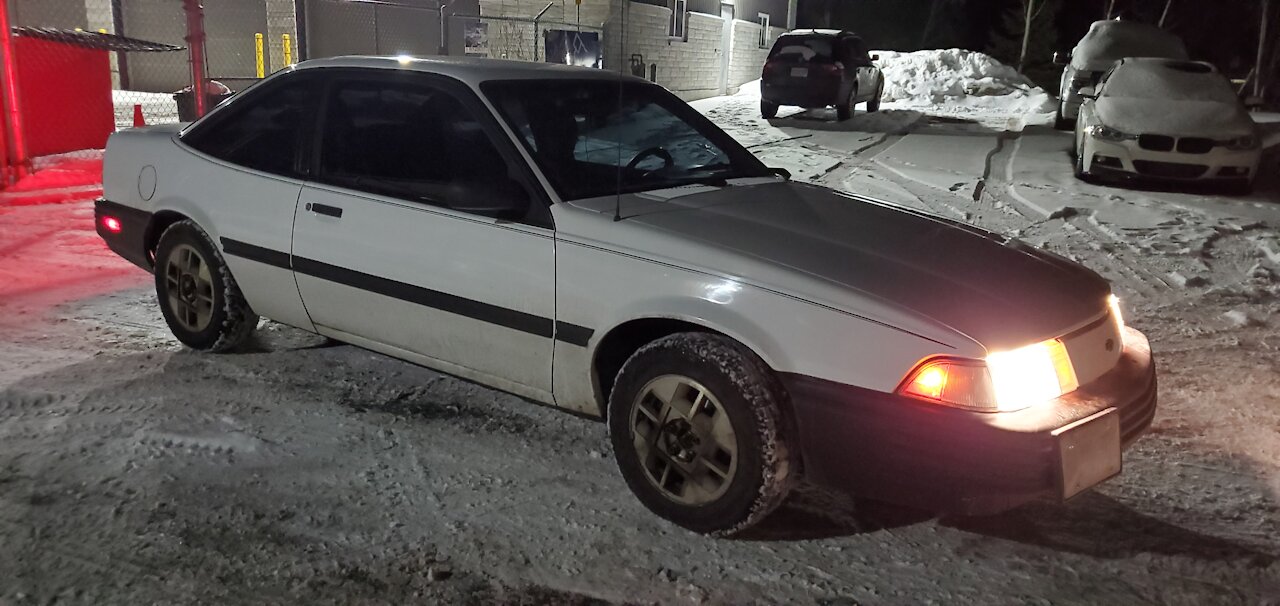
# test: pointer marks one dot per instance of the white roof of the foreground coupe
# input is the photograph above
(470, 70)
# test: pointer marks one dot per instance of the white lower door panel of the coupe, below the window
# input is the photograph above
(440, 250)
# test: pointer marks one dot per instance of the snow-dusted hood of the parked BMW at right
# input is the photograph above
(1180, 119)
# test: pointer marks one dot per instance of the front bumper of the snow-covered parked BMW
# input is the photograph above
(1128, 161)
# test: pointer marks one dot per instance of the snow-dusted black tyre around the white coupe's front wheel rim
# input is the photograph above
(757, 405)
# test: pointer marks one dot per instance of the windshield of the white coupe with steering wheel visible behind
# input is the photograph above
(600, 138)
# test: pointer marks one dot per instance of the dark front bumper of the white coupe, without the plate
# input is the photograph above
(943, 459)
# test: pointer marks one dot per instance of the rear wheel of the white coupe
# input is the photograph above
(198, 295)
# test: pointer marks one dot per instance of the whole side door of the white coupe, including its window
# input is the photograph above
(422, 238)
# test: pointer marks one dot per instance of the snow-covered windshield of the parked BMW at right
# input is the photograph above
(1173, 81)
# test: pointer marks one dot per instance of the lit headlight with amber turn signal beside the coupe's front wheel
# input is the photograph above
(1004, 382)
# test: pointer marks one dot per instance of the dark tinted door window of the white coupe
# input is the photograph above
(410, 140)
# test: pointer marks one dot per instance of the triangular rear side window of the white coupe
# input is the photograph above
(264, 131)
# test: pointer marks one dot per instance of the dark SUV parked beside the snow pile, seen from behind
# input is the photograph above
(820, 69)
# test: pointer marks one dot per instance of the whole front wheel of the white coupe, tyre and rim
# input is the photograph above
(701, 436)
